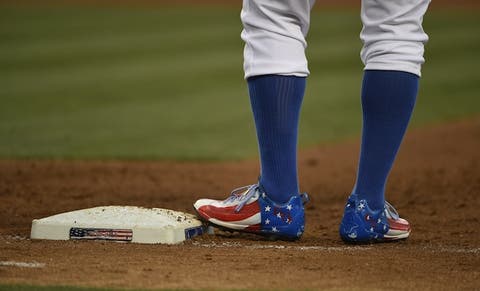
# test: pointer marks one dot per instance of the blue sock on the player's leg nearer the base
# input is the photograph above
(276, 102)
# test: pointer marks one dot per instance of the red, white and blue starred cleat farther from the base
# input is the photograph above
(360, 224)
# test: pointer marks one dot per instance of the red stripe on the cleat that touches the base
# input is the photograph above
(228, 213)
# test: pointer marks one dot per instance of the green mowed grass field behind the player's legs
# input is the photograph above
(167, 82)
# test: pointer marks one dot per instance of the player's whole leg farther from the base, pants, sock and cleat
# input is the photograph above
(393, 54)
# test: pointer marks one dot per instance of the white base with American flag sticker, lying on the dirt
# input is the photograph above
(119, 223)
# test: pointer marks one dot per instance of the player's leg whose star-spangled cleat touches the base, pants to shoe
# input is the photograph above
(275, 68)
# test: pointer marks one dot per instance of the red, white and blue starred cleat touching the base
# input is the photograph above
(249, 209)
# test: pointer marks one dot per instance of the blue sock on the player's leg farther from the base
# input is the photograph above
(388, 99)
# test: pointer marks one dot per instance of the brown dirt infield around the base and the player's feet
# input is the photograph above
(435, 184)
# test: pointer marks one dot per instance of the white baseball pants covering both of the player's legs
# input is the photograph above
(274, 34)
